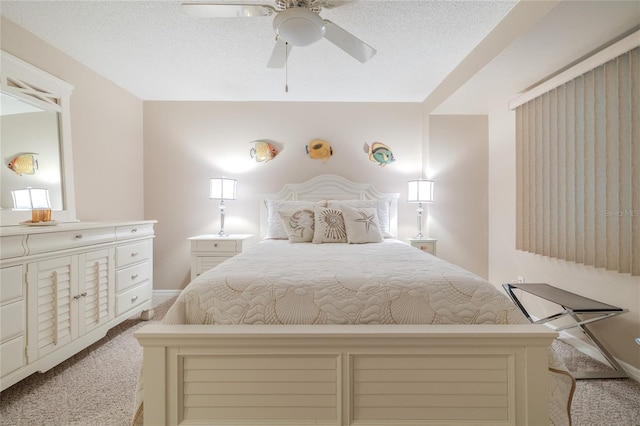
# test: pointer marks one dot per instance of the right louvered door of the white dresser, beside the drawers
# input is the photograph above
(96, 293)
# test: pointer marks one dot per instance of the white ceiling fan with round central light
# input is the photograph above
(296, 23)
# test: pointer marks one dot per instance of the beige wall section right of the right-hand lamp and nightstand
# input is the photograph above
(458, 156)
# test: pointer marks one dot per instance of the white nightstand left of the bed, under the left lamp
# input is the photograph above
(210, 250)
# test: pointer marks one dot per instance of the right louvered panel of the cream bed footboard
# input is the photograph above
(409, 388)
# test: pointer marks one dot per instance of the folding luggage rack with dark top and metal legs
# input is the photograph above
(574, 305)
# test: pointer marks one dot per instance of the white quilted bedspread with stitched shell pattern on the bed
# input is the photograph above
(277, 282)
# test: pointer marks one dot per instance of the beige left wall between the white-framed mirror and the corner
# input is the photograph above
(106, 127)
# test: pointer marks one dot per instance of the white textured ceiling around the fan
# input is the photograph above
(156, 52)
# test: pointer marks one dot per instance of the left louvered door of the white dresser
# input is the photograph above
(52, 285)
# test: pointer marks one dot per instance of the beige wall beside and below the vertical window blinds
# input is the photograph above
(506, 263)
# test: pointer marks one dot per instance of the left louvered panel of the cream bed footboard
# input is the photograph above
(274, 388)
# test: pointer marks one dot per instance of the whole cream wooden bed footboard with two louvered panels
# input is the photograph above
(346, 374)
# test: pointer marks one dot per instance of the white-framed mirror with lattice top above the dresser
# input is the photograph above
(35, 143)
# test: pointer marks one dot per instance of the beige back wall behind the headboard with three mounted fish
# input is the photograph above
(186, 143)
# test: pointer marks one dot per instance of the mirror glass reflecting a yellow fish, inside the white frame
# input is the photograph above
(30, 149)
